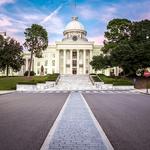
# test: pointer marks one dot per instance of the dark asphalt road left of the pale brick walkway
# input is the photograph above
(25, 119)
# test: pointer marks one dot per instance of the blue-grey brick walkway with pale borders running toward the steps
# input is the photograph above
(76, 128)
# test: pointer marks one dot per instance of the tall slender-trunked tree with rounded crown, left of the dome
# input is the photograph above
(36, 40)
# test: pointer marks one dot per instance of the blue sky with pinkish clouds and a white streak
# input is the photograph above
(16, 15)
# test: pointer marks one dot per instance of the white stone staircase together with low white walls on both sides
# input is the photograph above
(72, 83)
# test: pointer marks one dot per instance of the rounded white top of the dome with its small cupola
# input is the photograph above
(74, 25)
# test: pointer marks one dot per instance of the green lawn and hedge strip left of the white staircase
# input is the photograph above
(9, 83)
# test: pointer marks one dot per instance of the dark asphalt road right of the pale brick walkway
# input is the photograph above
(125, 118)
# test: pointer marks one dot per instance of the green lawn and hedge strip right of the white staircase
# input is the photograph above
(115, 80)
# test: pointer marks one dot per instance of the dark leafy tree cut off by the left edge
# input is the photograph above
(11, 54)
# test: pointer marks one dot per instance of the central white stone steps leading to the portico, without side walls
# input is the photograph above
(74, 82)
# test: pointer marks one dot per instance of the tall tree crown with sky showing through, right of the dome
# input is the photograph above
(118, 31)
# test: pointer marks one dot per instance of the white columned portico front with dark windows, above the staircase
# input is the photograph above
(75, 61)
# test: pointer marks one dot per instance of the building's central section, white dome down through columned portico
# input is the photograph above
(75, 51)
